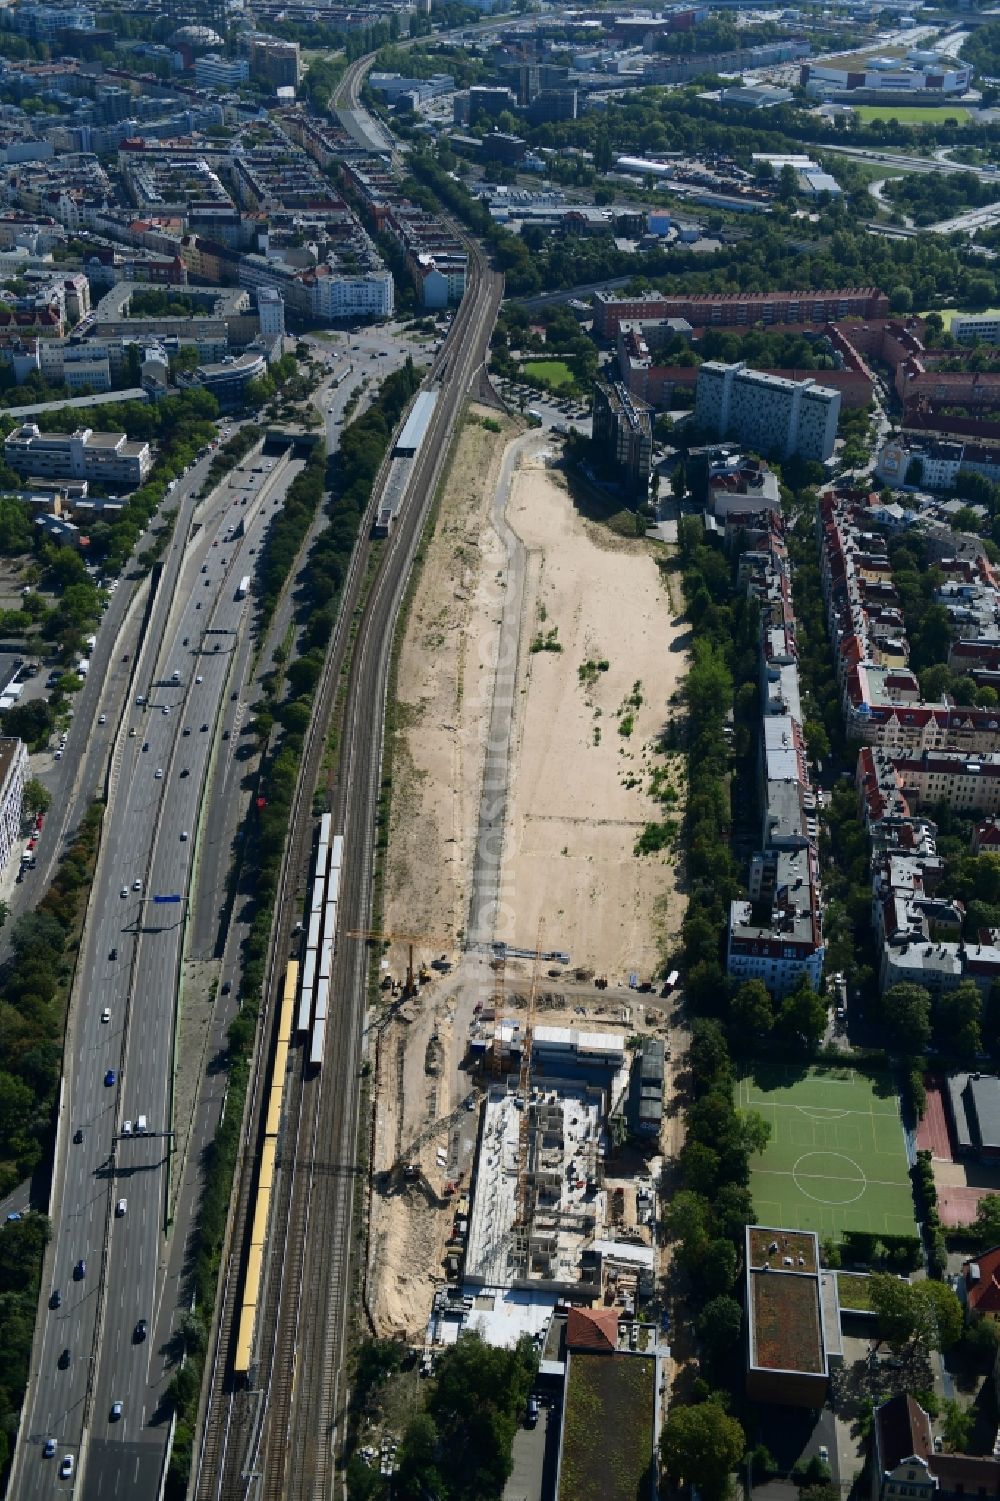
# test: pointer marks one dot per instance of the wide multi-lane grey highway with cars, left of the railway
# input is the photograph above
(130, 966)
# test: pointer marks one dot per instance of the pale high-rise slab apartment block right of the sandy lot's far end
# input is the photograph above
(768, 412)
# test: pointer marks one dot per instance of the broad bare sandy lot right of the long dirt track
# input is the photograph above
(580, 786)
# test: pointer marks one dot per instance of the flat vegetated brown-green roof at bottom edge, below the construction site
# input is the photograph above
(609, 1439)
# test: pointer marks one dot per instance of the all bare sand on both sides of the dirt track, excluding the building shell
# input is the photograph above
(580, 795)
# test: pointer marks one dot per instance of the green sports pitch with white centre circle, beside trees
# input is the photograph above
(837, 1158)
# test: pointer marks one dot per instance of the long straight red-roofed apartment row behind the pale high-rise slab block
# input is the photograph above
(735, 310)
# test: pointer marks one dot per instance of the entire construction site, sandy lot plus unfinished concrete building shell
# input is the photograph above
(519, 1111)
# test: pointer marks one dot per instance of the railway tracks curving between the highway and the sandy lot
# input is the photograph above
(273, 1421)
